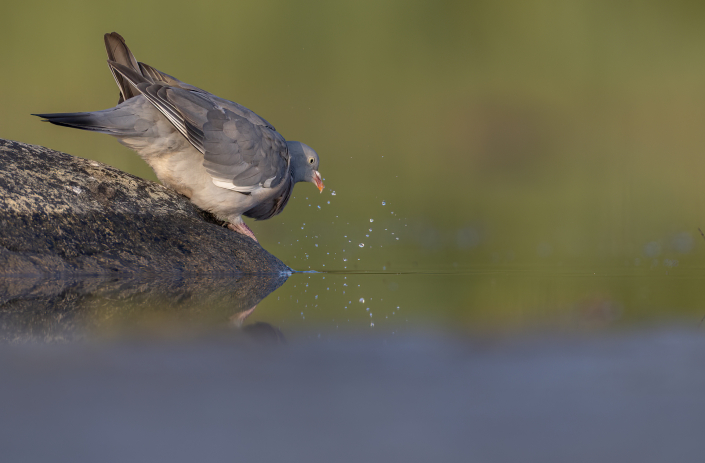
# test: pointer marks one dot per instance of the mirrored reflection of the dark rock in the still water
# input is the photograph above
(63, 310)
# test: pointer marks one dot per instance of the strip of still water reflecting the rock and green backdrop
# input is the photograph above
(490, 301)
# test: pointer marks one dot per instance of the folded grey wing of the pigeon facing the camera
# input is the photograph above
(242, 152)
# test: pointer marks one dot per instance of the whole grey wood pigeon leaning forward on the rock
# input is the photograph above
(223, 156)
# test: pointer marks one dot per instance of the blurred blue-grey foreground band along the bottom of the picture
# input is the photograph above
(636, 397)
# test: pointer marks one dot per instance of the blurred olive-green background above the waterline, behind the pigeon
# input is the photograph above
(498, 133)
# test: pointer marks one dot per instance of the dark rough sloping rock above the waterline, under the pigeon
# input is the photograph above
(60, 214)
